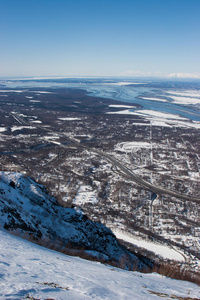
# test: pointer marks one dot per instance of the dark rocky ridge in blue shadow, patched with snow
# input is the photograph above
(26, 207)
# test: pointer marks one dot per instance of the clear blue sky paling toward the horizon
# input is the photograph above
(99, 37)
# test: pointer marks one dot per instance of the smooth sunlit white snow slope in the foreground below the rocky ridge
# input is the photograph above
(29, 271)
